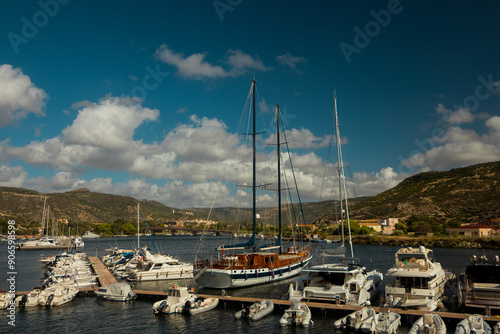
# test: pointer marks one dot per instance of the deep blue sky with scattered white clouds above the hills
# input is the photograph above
(144, 98)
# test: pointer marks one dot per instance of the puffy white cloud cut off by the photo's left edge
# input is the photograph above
(18, 96)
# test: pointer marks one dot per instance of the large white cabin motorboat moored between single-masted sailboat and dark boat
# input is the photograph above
(419, 280)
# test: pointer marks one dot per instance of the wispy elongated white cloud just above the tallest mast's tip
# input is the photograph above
(195, 66)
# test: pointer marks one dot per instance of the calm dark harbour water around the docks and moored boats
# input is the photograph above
(89, 315)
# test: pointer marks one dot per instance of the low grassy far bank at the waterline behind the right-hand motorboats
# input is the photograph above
(445, 242)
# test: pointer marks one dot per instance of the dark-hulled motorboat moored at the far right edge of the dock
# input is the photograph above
(479, 283)
